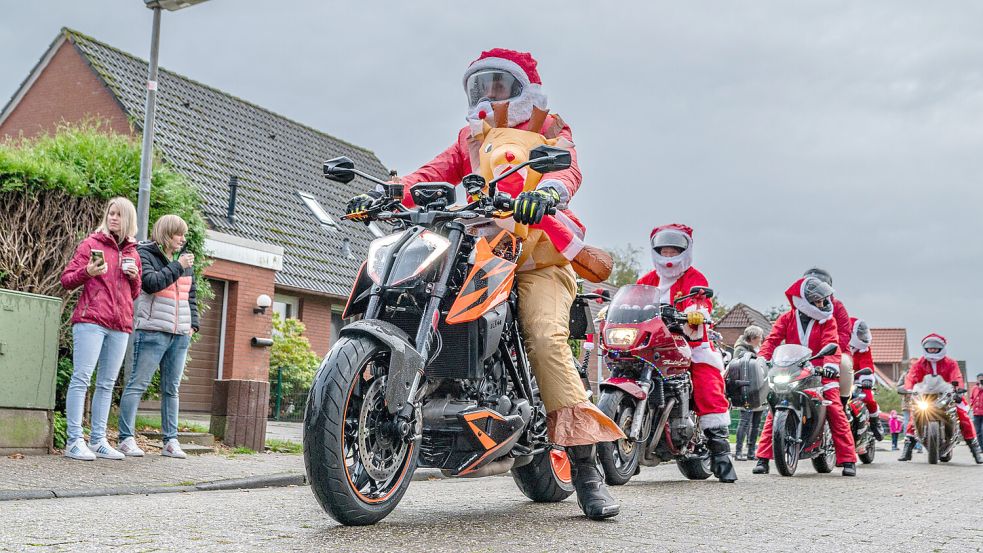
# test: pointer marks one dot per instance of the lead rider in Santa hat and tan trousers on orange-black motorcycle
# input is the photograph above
(546, 286)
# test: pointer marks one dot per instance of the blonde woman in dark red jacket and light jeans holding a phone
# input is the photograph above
(107, 267)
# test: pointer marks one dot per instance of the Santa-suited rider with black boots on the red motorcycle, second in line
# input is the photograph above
(674, 275)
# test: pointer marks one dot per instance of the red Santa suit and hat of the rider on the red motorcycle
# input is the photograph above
(674, 277)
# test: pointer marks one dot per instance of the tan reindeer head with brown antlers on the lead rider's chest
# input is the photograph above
(503, 148)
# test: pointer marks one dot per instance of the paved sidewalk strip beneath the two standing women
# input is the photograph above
(56, 471)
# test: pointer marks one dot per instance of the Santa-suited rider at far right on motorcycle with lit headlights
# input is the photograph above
(936, 362)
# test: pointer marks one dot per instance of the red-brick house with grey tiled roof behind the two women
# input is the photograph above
(281, 240)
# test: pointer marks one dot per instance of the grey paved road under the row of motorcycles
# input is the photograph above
(891, 506)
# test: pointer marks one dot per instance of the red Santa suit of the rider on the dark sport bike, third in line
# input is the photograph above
(814, 334)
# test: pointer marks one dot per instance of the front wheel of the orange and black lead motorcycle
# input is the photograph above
(357, 467)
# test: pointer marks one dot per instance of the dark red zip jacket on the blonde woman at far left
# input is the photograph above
(106, 300)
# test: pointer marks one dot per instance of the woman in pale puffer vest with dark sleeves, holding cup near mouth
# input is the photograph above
(166, 317)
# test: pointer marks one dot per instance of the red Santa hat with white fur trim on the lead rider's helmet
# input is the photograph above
(520, 65)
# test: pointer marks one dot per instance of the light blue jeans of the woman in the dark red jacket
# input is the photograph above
(93, 344)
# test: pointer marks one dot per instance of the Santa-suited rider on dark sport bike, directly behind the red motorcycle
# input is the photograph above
(810, 323)
